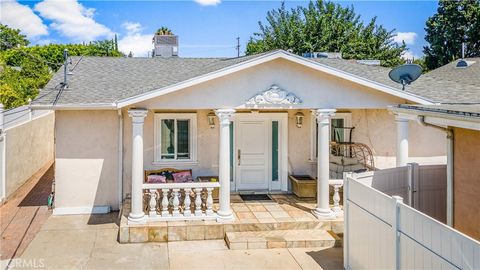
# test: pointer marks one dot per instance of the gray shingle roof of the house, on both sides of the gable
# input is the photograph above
(100, 81)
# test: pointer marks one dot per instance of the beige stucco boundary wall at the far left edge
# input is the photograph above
(25, 148)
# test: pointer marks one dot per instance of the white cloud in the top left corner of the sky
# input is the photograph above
(22, 17)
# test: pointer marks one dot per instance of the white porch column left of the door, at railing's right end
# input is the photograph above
(224, 115)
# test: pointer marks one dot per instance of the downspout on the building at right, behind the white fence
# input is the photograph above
(450, 149)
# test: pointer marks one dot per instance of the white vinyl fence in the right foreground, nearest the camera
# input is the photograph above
(381, 232)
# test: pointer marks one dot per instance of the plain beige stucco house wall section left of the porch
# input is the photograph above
(86, 159)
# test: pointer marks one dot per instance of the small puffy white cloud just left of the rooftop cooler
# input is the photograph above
(134, 41)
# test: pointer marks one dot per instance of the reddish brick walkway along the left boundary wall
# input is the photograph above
(22, 216)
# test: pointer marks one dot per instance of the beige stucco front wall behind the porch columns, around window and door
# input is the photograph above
(373, 127)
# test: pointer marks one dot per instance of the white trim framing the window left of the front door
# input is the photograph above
(192, 138)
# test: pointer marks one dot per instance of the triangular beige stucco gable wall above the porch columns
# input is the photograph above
(315, 88)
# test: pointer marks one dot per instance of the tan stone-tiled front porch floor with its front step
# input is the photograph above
(285, 214)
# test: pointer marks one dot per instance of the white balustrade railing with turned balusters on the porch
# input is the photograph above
(179, 201)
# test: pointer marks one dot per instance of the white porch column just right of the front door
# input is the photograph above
(323, 210)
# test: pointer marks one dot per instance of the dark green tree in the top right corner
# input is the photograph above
(455, 22)
